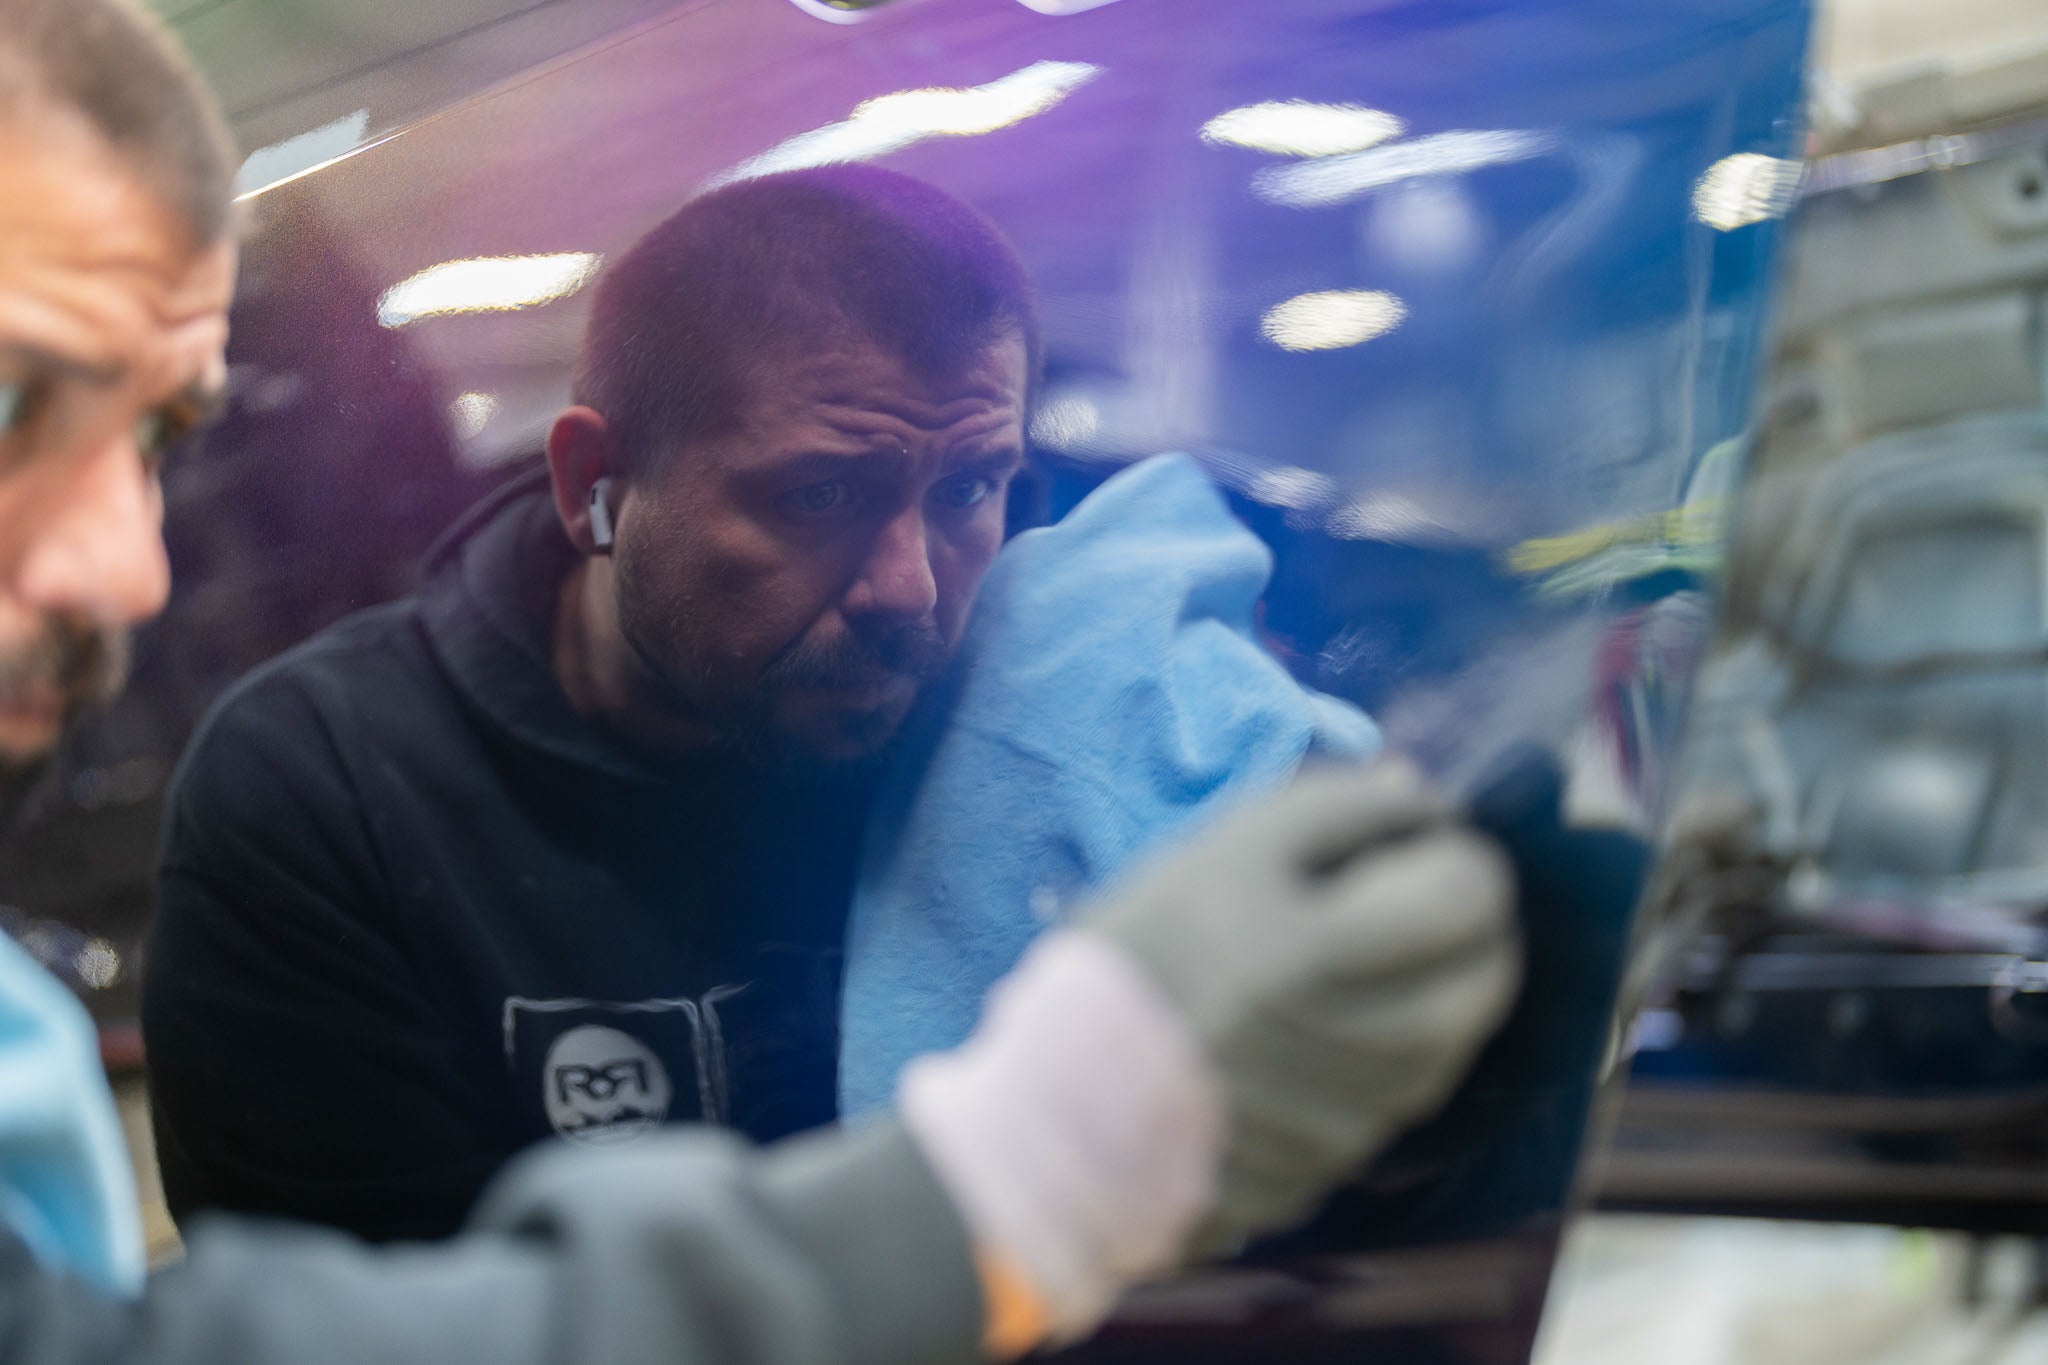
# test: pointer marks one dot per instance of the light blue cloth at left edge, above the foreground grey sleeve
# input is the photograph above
(67, 1186)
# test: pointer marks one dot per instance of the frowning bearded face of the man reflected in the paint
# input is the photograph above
(800, 578)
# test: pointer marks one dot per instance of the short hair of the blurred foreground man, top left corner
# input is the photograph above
(116, 67)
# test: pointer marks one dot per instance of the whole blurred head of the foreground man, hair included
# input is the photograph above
(116, 275)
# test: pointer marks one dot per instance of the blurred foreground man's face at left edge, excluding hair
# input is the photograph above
(112, 345)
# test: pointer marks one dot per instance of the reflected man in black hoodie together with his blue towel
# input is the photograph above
(620, 748)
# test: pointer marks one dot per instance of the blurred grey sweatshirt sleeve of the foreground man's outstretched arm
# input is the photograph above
(685, 1249)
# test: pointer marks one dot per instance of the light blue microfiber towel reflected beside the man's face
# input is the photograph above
(1109, 697)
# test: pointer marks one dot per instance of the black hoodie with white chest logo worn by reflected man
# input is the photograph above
(415, 916)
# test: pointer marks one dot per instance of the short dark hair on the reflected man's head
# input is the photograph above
(773, 265)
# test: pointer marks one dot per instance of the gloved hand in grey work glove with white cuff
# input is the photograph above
(1220, 1041)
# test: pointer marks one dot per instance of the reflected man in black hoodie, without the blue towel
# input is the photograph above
(617, 748)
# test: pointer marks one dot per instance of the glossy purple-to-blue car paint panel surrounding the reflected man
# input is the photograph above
(1494, 517)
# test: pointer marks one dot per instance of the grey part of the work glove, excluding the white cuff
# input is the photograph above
(1342, 953)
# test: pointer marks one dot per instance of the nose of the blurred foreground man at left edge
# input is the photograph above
(99, 543)
